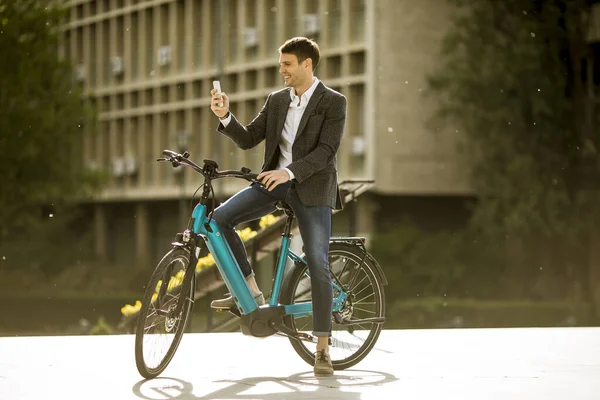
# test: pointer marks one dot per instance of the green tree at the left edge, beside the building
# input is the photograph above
(42, 118)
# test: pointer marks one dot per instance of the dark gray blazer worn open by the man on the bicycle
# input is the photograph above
(314, 149)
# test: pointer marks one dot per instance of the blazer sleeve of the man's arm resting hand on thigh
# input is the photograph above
(329, 142)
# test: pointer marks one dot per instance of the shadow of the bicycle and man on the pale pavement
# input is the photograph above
(298, 386)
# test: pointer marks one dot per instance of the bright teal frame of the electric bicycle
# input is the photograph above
(234, 279)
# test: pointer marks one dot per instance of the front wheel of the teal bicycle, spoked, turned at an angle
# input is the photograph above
(159, 330)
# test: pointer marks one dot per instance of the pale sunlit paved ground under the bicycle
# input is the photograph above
(482, 364)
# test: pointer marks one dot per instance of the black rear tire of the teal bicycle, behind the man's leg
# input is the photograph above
(303, 348)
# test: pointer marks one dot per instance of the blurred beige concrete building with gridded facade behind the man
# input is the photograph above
(148, 67)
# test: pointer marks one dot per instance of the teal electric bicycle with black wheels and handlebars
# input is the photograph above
(358, 311)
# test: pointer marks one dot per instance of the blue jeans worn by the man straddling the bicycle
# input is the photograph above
(314, 222)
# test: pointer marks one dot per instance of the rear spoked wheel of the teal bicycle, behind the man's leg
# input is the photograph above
(366, 299)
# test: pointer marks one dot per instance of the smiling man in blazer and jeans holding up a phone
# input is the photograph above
(302, 126)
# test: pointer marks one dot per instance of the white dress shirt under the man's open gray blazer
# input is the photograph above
(290, 127)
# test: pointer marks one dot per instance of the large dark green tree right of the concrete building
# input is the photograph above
(515, 76)
